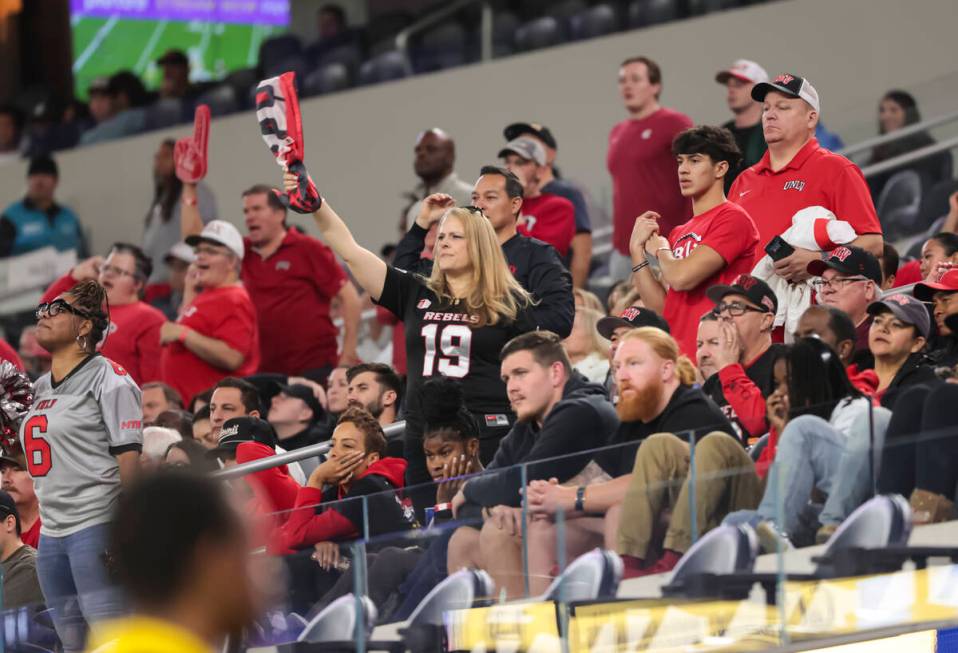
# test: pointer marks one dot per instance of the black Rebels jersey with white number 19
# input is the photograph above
(442, 338)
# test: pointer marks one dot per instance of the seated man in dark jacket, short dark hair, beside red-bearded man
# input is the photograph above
(559, 414)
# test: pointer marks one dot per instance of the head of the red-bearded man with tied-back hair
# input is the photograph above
(648, 371)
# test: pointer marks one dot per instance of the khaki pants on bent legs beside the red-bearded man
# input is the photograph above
(725, 480)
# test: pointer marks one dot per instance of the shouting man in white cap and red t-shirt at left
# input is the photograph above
(216, 334)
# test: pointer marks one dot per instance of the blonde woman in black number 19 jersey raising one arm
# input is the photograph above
(457, 320)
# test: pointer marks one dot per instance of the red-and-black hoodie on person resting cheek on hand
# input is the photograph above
(344, 521)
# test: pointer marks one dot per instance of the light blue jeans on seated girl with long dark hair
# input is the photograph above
(811, 453)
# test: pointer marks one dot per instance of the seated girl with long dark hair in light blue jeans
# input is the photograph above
(822, 430)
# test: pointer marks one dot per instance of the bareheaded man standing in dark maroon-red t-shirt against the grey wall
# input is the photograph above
(640, 159)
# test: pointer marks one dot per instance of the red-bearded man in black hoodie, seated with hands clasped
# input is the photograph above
(656, 400)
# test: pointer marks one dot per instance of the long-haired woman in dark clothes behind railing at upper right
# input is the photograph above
(897, 110)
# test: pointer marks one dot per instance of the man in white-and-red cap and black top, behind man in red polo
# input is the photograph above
(738, 80)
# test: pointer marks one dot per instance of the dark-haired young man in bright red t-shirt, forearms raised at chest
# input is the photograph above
(714, 247)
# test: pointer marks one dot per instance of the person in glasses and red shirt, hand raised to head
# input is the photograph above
(133, 337)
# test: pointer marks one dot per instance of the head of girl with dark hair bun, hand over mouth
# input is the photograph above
(451, 435)
